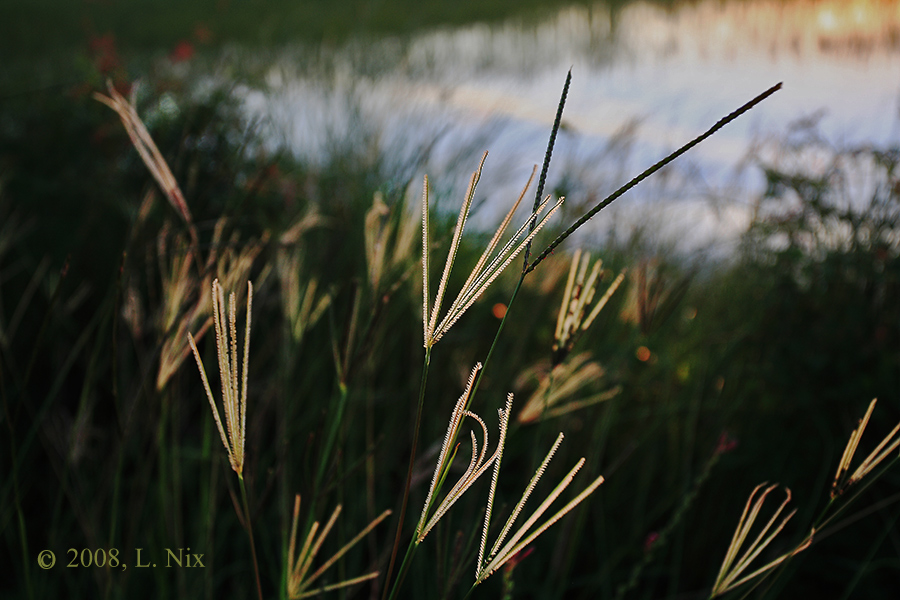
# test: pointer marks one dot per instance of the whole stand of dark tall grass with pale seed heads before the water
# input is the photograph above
(665, 388)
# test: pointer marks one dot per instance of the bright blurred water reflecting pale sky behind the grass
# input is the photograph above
(645, 80)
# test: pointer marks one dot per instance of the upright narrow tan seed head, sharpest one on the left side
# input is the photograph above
(234, 385)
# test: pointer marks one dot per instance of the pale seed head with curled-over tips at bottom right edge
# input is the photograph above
(729, 576)
